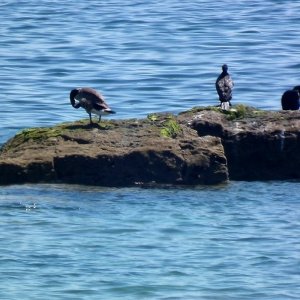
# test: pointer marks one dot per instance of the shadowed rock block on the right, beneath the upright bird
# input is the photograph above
(258, 145)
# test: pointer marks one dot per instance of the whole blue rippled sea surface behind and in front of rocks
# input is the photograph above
(234, 241)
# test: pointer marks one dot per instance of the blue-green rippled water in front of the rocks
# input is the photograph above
(224, 242)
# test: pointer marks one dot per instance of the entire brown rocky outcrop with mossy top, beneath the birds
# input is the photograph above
(200, 146)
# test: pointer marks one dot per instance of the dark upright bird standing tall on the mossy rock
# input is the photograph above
(224, 86)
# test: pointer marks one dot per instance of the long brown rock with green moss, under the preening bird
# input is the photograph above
(156, 150)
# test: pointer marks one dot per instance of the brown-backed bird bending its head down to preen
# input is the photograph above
(92, 101)
